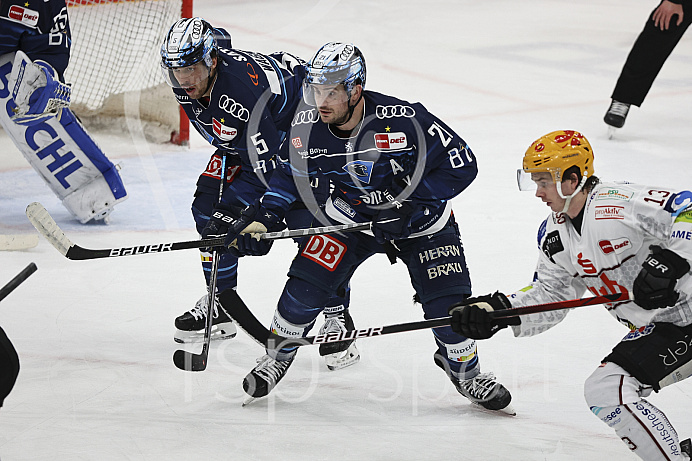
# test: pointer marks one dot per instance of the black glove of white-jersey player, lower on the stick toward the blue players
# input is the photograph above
(471, 317)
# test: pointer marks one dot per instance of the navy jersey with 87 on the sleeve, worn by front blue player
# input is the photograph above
(400, 151)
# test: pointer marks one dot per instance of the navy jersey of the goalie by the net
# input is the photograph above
(39, 28)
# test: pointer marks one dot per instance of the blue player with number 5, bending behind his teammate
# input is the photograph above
(243, 103)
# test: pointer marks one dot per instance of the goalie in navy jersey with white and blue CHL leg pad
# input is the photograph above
(35, 45)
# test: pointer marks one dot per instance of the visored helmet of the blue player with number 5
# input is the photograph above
(186, 52)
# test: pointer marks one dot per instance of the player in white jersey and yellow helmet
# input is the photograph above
(608, 238)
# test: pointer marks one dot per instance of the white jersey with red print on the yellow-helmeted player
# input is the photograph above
(620, 222)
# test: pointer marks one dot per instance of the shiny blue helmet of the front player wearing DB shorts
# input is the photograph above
(335, 63)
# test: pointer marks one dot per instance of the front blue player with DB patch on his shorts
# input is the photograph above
(393, 164)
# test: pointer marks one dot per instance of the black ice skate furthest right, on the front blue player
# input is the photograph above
(483, 389)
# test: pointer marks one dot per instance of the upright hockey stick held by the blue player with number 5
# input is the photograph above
(189, 361)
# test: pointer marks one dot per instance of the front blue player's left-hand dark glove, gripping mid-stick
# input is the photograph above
(243, 235)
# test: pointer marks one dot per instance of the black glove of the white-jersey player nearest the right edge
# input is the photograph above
(654, 287)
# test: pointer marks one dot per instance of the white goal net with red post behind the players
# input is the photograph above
(114, 64)
